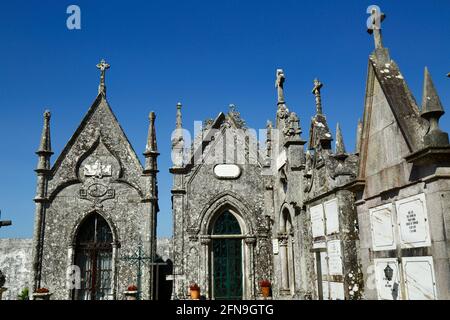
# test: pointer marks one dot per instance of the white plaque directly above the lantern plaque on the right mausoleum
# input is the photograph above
(382, 227)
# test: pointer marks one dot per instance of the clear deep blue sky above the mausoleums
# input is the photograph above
(206, 54)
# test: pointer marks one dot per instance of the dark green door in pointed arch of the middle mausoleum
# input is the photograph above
(227, 257)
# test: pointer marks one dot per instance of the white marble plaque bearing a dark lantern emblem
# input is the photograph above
(387, 289)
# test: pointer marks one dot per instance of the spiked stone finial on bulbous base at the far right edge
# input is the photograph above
(432, 110)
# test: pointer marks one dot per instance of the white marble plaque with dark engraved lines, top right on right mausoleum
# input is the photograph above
(413, 222)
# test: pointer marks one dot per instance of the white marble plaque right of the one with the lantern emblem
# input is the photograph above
(420, 283)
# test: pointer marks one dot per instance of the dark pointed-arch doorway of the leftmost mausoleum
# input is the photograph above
(94, 258)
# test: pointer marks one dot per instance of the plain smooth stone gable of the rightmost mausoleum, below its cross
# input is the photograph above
(392, 128)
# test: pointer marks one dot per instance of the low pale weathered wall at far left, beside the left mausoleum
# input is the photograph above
(15, 263)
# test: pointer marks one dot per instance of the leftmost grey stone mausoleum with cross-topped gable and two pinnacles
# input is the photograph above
(94, 208)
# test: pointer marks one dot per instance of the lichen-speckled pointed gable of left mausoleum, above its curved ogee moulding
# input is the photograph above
(99, 129)
